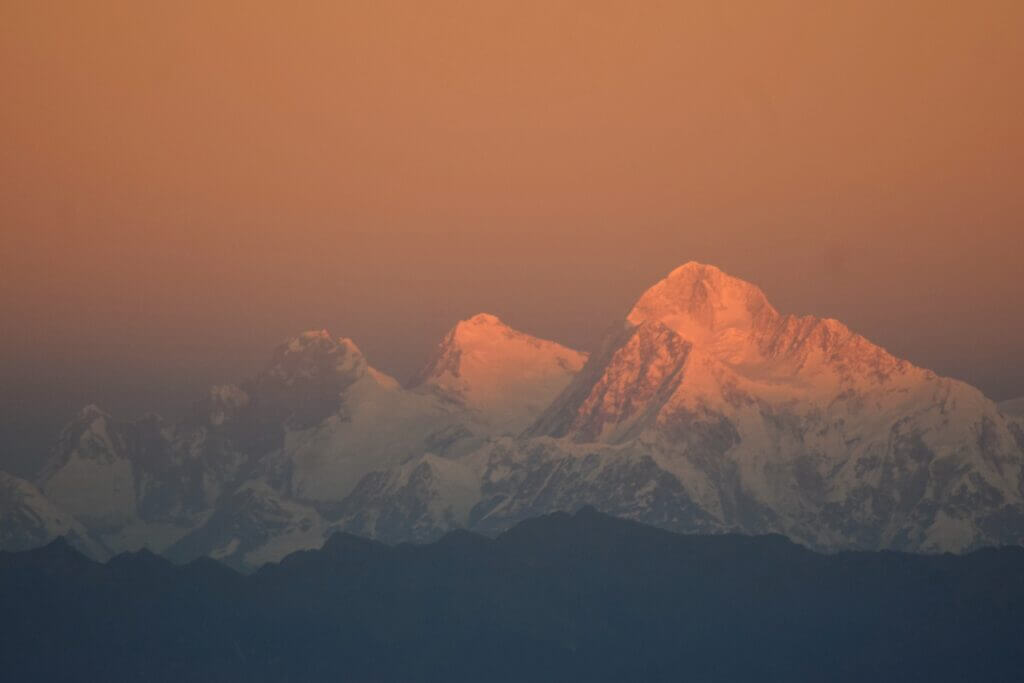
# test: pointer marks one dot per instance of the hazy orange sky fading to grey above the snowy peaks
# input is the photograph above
(185, 185)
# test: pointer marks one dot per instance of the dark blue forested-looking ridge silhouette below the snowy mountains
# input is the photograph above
(565, 597)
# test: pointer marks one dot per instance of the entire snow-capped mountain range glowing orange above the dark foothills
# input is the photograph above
(704, 411)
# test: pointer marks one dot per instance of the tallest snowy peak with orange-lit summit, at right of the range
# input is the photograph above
(797, 425)
